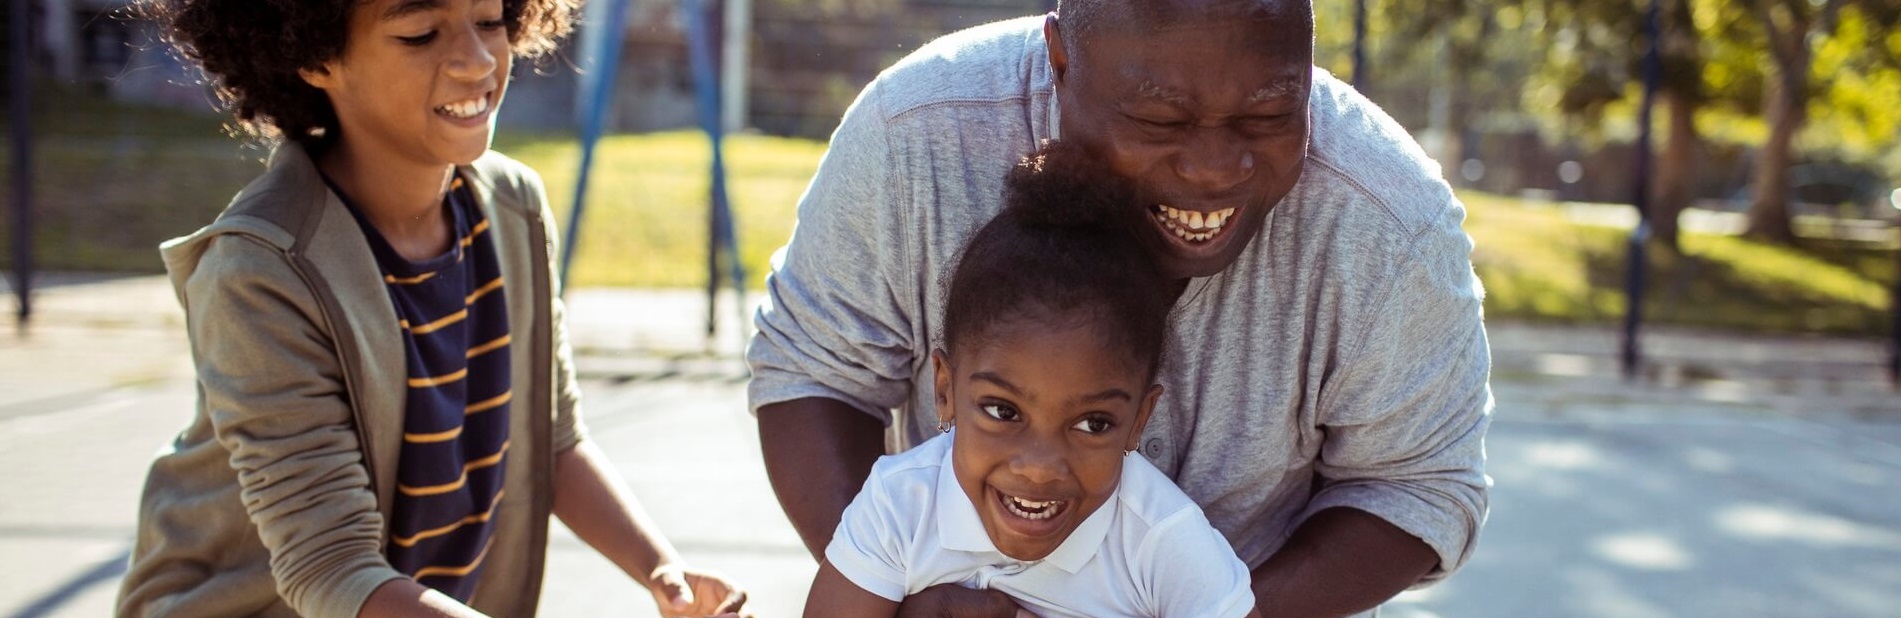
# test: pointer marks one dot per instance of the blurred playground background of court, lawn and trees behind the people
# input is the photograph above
(1731, 448)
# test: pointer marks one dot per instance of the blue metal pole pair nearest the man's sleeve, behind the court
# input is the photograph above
(721, 235)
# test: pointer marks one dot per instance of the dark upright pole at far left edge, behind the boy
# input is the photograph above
(20, 79)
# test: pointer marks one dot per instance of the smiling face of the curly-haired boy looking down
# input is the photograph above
(419, 81)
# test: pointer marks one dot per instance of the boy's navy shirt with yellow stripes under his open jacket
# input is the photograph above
(455, 423)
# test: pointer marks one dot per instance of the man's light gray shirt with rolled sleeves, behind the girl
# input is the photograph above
(1339, 362)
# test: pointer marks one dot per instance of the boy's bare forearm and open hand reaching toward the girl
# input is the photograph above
(594, 503)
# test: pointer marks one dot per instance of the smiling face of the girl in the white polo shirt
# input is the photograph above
(1045, 412)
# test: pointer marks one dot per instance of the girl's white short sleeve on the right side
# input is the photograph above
(1189, 570)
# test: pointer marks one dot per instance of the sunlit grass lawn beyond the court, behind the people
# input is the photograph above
(115, 182)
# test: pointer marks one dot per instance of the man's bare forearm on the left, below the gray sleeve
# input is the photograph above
(818, 455)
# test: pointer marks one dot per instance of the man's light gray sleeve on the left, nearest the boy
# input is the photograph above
(839, 299)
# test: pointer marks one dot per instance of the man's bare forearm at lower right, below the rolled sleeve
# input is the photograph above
(1339, 564)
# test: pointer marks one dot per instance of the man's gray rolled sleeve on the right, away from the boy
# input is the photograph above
(1408, 415)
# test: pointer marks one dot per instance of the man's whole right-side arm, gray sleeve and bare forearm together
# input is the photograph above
(1402, 471)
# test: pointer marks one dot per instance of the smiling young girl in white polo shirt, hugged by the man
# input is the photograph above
(1054, 332)
